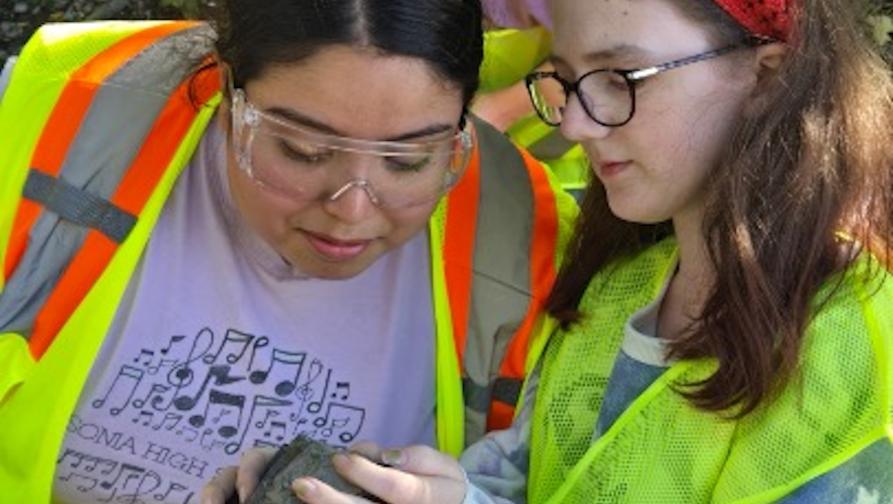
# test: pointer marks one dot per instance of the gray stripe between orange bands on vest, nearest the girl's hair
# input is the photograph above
(500, 291)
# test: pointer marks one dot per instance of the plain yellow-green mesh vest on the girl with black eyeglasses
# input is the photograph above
(662, 450)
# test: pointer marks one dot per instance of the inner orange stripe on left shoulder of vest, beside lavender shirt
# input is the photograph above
(131, 195)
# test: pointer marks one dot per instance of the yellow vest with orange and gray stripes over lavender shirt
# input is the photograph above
(98, 121)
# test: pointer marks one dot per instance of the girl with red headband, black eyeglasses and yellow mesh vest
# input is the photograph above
(724, 323)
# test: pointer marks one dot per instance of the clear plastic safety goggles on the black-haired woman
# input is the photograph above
(304, 164)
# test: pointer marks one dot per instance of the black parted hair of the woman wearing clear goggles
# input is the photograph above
(447, 34)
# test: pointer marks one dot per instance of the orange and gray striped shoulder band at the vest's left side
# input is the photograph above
(88, 178)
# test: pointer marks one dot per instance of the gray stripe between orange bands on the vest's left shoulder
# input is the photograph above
(111, 134)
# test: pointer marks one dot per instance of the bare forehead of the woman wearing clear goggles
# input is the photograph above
(359, 94)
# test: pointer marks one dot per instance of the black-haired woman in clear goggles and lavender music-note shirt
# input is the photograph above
(217, 239)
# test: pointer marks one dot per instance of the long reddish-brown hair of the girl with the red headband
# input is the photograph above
(805, 185)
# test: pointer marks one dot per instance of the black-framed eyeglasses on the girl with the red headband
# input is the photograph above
(608, 95)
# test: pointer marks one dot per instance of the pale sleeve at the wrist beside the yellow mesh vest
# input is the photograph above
(496, 466)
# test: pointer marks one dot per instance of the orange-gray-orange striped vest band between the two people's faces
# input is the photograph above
(500, 266)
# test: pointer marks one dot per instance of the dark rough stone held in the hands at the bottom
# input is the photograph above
(302, 457)
